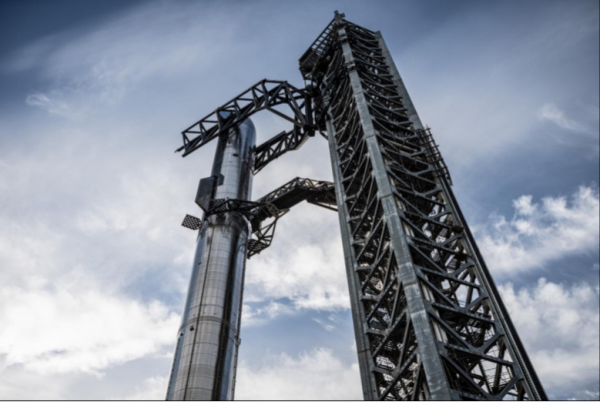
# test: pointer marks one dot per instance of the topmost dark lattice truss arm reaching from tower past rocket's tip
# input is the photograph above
(265, 95)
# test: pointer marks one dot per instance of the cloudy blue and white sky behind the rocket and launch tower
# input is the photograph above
(94, 262)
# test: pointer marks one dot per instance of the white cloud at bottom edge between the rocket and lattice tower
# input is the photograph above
(314, 375)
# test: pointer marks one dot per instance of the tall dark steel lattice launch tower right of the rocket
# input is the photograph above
(429, 321)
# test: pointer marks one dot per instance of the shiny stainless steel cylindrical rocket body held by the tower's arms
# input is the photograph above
(206, 354)
